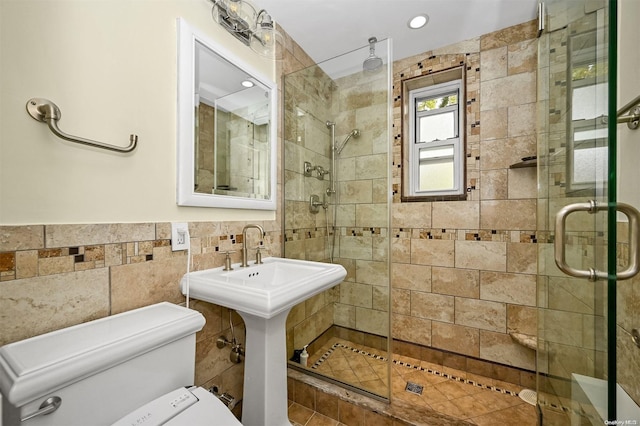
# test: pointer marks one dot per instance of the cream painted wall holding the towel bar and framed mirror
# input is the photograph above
(110, 65)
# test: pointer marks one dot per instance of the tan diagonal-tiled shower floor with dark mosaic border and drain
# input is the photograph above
(458, 394)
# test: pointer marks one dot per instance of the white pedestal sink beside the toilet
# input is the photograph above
(263, 295)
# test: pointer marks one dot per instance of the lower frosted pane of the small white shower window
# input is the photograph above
(436, 171)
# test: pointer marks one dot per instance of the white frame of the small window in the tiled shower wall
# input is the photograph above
(432, 91)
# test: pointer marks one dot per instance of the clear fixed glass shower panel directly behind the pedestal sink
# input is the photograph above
(336, 209)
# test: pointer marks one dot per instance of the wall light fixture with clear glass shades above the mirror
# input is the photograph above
(254, 29)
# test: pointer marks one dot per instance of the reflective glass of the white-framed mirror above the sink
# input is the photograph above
(232, 129)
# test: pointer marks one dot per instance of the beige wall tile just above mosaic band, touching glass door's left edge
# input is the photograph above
(508, 214)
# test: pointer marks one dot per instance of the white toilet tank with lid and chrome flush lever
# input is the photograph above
(101, 369)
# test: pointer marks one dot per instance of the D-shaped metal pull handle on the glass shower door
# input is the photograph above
(593, 207)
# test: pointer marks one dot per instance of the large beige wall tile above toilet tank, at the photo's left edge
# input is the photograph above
(37, 305)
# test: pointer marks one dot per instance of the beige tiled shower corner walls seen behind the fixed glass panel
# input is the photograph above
(358, 101)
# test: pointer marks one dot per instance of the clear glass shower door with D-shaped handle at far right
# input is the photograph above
(585, 352)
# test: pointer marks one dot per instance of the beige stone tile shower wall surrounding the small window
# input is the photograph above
(464, 272)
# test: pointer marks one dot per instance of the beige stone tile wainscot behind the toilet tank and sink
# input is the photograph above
(55, 276)
